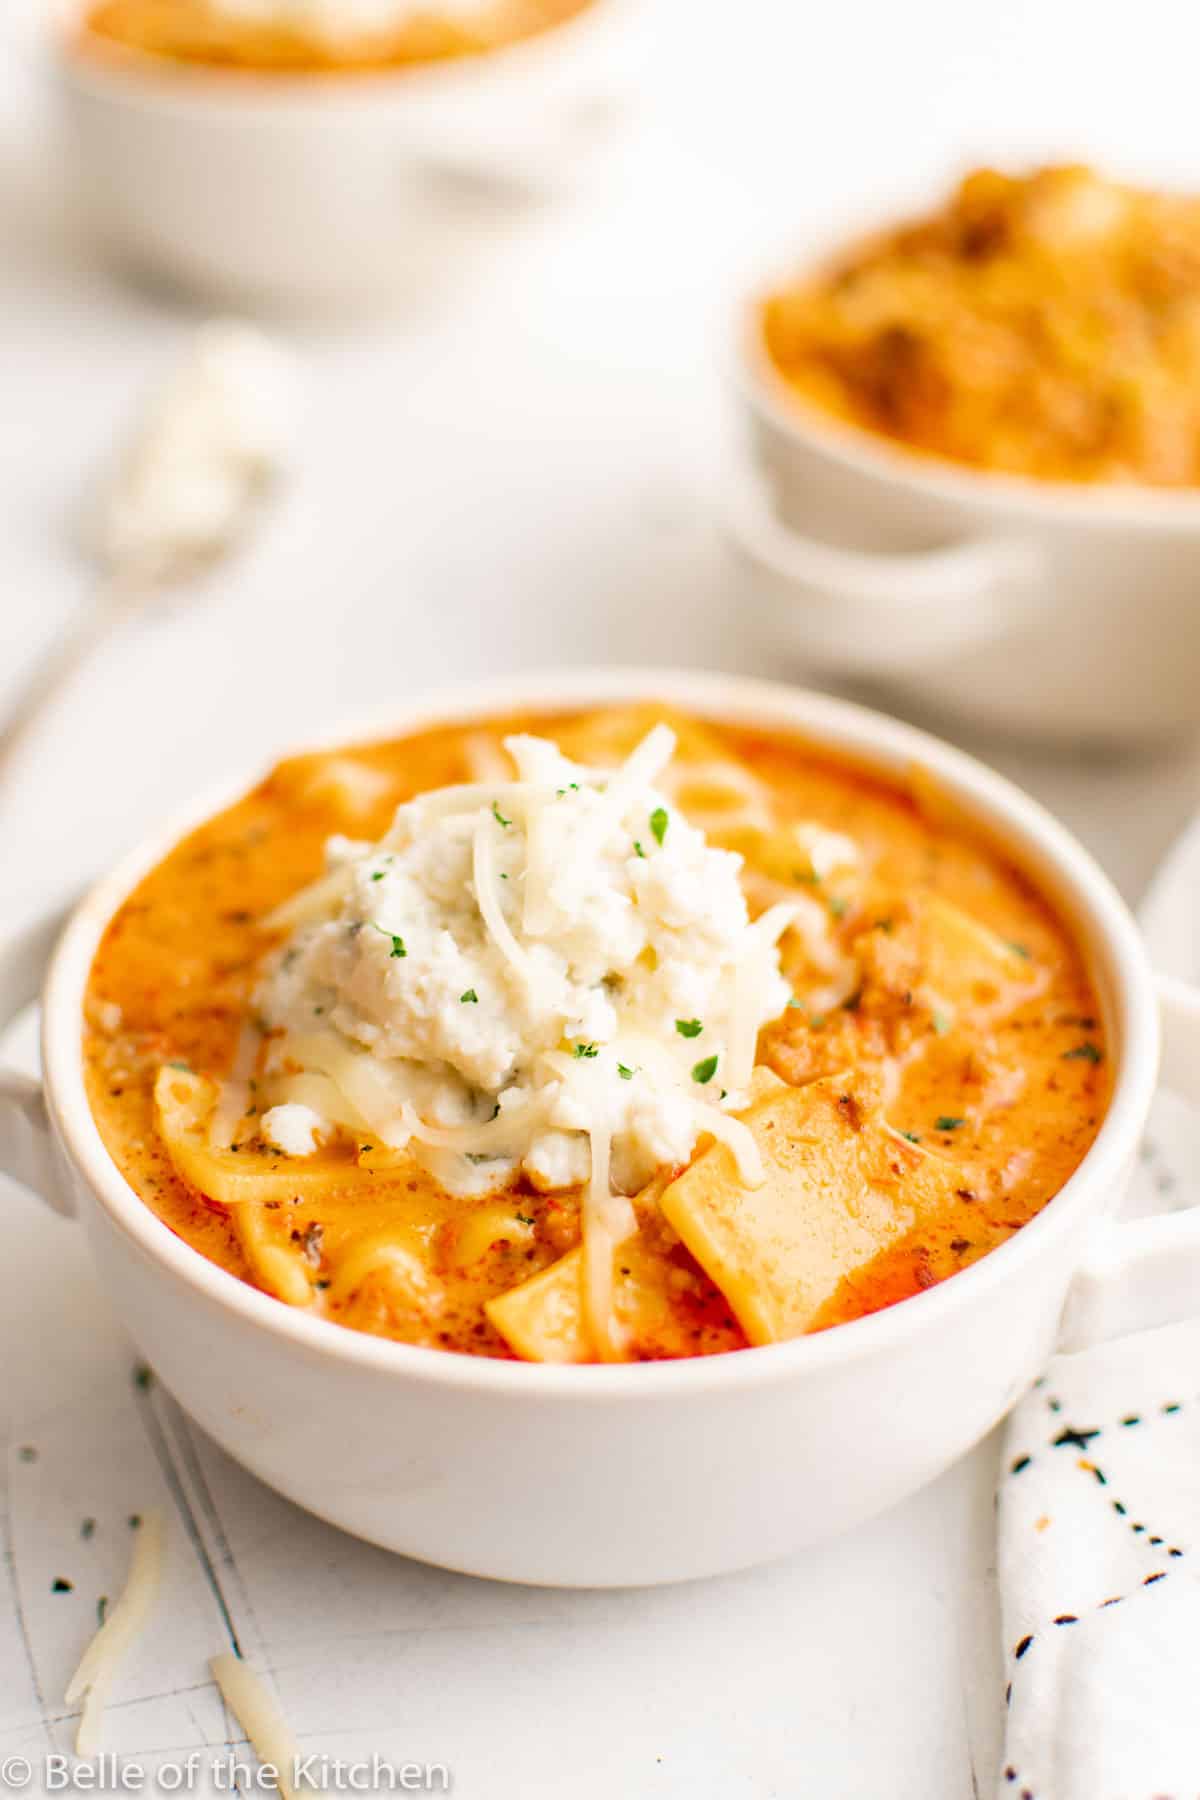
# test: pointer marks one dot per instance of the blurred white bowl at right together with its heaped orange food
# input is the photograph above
(987, 498)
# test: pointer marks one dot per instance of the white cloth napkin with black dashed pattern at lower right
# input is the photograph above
(1098, 1560)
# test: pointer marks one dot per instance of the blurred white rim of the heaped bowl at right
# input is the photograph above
(1118, 507)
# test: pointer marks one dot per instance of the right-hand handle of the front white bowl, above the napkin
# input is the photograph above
(1143, 1273)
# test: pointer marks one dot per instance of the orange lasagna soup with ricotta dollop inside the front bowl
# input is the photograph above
(591, 1038)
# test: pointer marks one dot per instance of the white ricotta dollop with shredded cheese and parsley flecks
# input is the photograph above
(551, 976)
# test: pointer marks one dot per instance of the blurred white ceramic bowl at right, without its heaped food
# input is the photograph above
(1053, 609)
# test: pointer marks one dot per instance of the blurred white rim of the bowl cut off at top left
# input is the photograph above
(157, 80)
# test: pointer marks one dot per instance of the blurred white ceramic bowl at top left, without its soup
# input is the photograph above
(332, 192)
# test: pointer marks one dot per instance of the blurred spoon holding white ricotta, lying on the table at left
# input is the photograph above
(184, 494)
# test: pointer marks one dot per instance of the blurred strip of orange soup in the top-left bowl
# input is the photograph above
(318, 37)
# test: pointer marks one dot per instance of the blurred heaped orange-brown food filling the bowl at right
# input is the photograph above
(1043, 325)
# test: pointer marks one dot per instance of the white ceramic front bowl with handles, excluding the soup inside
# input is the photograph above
(647, 1473)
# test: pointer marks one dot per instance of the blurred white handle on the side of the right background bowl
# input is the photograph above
(881, 613)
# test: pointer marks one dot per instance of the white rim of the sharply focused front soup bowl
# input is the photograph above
(1019, 827)
